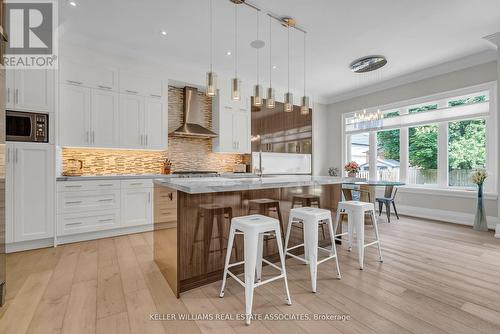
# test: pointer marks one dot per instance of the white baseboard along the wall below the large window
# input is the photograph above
(446, 216)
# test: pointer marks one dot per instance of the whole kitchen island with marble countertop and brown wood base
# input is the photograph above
(193, 215)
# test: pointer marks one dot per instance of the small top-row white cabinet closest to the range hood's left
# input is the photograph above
(137, 84)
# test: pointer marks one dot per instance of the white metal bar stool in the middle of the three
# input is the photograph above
(311, 218)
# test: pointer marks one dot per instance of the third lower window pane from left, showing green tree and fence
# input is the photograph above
(423, 154)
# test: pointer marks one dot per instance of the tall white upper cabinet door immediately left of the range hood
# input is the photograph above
(155, 124)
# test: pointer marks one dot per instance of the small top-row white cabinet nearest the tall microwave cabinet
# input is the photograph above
(89, 76)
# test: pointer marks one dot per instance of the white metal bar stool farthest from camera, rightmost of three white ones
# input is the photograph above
(355, 211)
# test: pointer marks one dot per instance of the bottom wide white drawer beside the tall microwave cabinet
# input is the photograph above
(74, 223)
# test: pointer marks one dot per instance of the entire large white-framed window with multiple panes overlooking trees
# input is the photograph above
(433, 142)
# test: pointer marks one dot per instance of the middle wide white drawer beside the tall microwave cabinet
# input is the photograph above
(91, 200)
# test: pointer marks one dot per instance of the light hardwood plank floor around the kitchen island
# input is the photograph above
(436, 278)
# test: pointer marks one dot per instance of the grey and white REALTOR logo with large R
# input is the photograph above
(31, 32)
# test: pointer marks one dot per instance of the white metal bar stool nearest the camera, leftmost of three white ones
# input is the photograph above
(253, 228)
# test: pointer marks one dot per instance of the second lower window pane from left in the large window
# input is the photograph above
(388, 155)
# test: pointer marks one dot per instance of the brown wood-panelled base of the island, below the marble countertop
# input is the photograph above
(192, 253)
